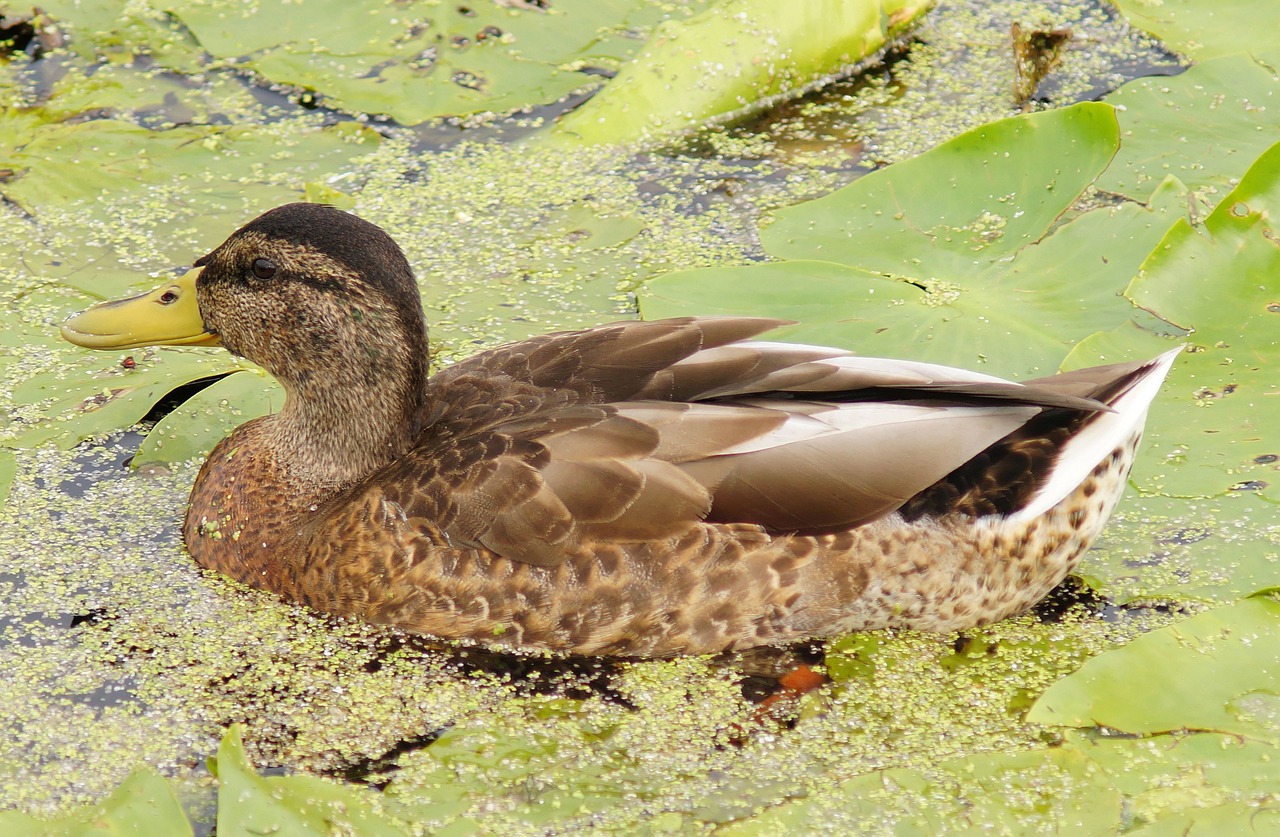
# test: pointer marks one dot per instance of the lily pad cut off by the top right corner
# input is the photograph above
(1205, 30)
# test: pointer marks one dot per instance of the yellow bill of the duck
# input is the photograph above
(166, 317)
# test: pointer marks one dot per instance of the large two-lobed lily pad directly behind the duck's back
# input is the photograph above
(949, 257)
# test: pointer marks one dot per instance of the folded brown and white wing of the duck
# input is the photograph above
(641, 432)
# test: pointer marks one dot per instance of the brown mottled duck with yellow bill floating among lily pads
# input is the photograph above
(638, 490)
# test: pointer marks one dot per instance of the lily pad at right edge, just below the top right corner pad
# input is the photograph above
(1204, 127)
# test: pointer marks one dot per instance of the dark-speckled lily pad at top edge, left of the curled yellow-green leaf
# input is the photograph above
(412, 61)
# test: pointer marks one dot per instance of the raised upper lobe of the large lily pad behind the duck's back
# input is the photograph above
(968, 204)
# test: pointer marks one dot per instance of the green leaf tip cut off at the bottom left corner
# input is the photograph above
(143, 804)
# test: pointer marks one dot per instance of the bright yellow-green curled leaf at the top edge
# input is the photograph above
(733, 60)
